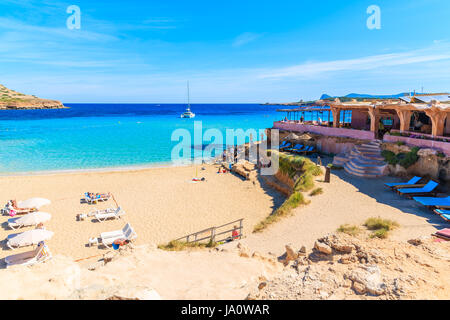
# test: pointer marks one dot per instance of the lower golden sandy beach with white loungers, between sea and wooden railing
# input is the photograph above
(160, 203)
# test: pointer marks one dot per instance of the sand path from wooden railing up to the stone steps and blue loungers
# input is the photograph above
(347, 199)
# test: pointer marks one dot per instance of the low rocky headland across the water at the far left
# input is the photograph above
(13, 100)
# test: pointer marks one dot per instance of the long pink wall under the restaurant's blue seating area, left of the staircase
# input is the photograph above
(327, 131)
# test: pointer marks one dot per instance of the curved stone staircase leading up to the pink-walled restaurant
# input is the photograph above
(364, 160)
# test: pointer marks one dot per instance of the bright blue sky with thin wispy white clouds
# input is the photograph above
(230, 51)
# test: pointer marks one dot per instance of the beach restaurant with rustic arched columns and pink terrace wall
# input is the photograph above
(418, 120)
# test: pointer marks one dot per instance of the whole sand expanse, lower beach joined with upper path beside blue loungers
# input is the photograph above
(163, 204)
